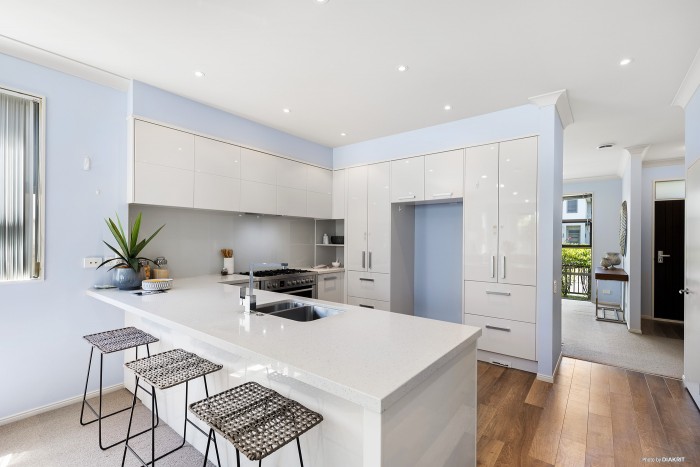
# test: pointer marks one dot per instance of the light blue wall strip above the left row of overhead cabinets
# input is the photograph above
(157, 104)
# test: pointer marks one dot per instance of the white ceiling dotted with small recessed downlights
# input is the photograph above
(335, 64)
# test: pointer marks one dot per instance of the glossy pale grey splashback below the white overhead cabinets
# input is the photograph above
(192, 239)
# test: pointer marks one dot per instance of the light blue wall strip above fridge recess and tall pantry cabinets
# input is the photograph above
(507, 124)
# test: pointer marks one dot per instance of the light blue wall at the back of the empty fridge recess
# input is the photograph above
(438, 262)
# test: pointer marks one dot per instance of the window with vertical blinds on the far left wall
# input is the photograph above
(21, 186)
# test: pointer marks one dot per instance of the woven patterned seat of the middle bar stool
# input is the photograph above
(168, 369)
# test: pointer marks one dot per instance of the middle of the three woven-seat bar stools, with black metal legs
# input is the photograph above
(166, 370)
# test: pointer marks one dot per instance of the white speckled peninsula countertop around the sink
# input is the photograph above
(369, 357)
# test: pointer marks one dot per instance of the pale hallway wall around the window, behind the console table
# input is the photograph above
(607, 198)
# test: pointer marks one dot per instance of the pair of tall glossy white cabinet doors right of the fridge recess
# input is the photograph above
(500, 212)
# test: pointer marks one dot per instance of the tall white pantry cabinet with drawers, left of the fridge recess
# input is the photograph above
(368, 241)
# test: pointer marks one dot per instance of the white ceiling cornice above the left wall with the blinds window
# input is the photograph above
(57, 62)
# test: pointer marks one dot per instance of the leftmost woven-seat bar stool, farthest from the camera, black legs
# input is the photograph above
(110, 342)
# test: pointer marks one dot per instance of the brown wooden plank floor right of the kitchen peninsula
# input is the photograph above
(592, 415)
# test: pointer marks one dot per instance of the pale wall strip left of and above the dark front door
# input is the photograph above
(649, 175)
